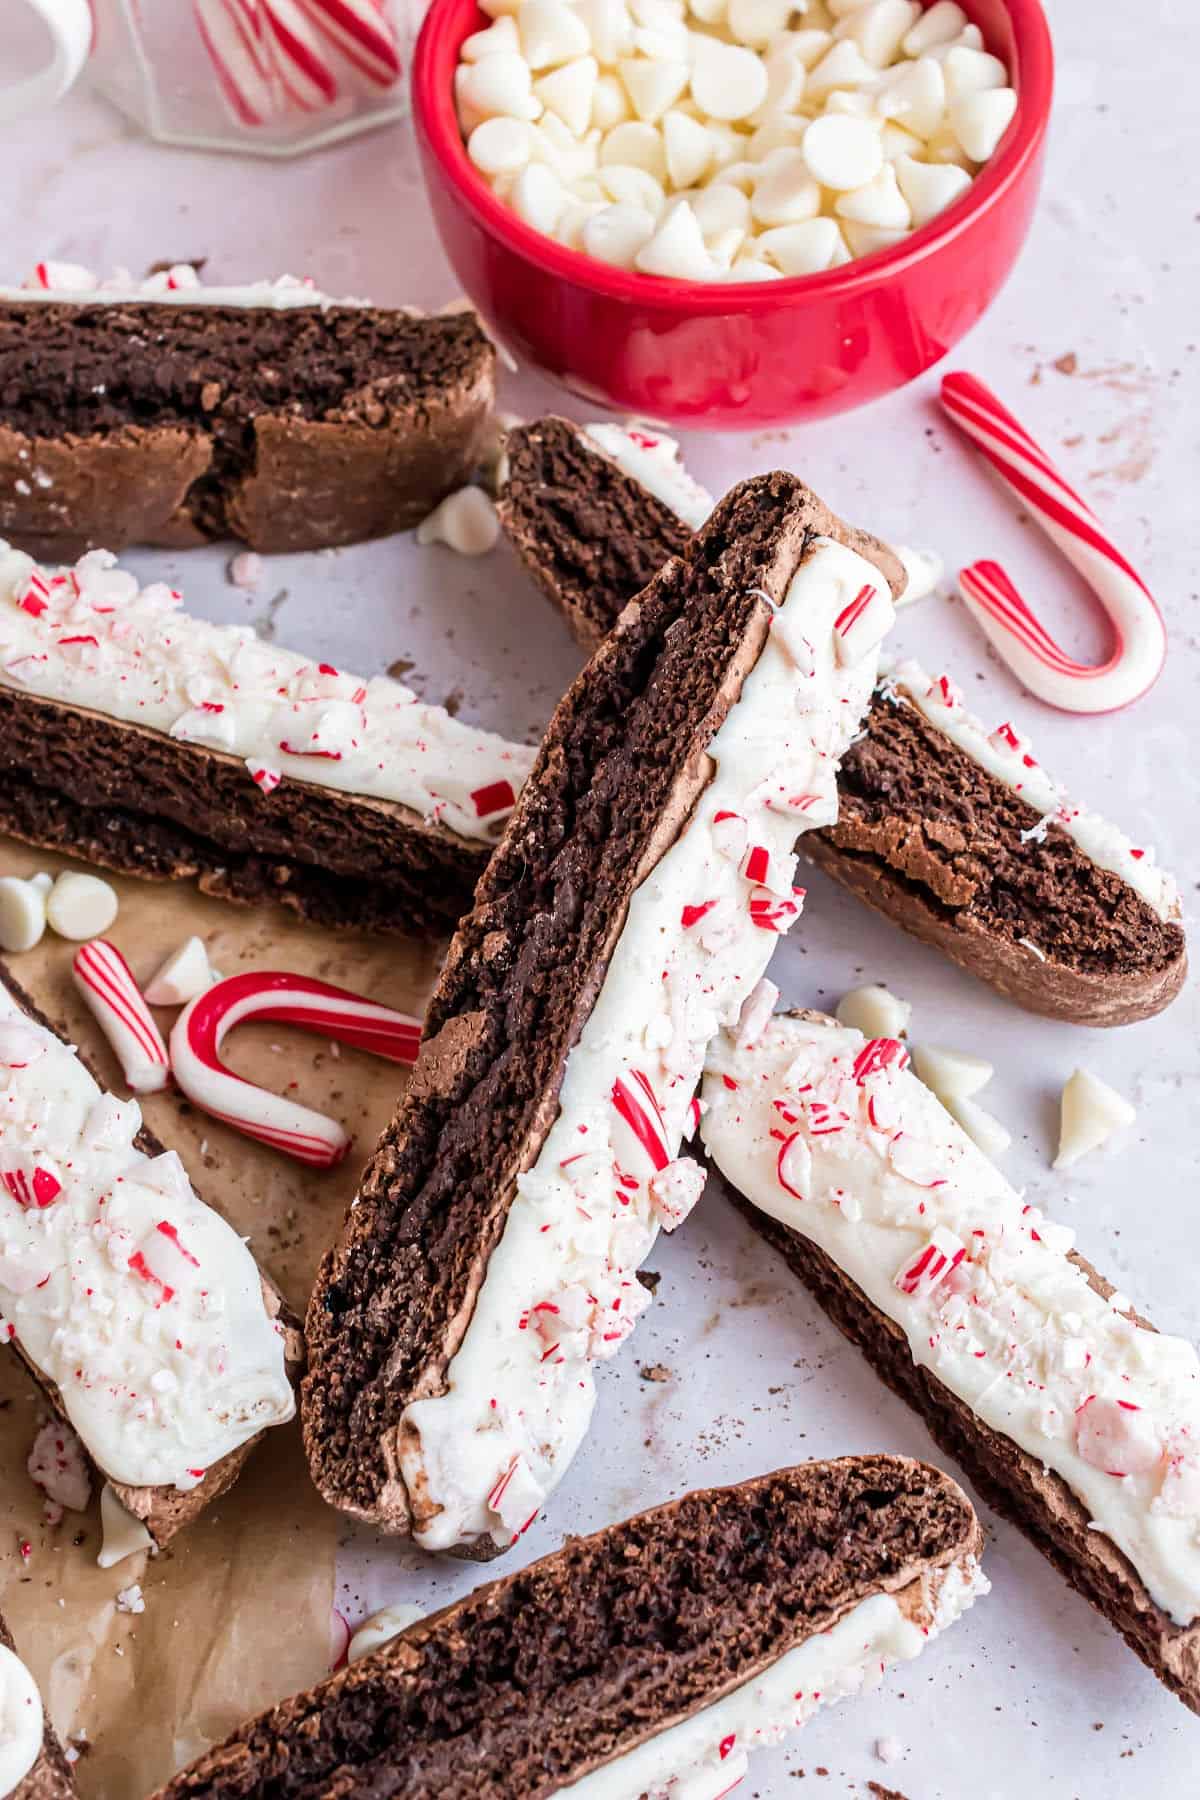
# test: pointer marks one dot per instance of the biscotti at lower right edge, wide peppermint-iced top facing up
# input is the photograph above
(1068, 1410)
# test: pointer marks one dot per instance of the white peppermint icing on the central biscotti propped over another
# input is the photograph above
(562, 1288)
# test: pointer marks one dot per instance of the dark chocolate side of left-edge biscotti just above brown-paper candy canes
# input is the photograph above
(143, 804)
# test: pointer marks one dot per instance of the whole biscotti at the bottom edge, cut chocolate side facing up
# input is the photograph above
(645, 1660)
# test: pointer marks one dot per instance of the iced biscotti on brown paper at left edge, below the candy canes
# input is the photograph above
(136, 1308)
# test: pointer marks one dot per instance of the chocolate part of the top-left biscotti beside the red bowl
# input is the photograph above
(289, 429)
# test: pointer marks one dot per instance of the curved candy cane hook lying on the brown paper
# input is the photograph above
(314, 1005)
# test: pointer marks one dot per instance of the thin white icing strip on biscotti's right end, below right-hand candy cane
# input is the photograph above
(1007, 755)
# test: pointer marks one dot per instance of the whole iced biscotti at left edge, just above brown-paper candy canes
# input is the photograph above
(157, 744)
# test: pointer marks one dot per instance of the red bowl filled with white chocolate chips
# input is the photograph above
(739, 211)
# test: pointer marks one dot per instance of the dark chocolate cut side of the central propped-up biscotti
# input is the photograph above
(618, 773)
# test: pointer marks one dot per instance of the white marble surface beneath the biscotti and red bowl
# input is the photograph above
(1032, 1693)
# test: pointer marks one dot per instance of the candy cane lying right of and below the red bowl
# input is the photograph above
(1014, 629)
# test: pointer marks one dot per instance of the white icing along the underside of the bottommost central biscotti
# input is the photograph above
(706, 1756)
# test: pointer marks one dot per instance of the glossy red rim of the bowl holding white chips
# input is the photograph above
(433, 103)
